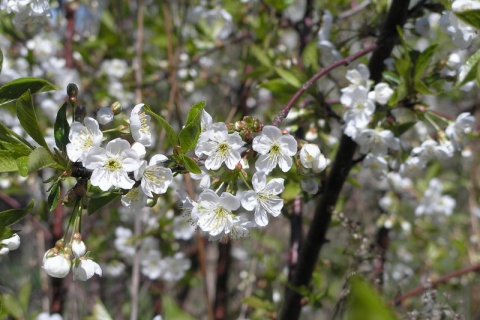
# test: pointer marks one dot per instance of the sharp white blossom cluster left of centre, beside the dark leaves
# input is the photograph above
(119, 164)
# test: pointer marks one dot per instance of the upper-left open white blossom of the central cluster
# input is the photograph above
(220, 147)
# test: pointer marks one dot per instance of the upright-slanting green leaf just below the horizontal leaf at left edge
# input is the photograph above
(28, 118)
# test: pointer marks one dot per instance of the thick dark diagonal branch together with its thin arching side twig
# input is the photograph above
(310, 250)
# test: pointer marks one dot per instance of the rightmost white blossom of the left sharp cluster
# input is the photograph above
(155, 178)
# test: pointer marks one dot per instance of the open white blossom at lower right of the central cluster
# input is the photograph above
(265, 197)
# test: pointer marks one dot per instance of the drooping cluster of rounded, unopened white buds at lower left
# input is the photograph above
(57, 263)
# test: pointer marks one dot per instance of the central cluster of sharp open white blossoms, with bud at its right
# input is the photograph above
(218, 214)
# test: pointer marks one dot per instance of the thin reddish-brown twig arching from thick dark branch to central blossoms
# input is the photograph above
(346, 61)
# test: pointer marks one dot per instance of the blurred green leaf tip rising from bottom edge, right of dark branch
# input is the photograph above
(365, 303)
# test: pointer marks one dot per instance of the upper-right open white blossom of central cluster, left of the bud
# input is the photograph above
(274, 148)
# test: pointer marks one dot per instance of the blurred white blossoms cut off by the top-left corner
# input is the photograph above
(26, 10)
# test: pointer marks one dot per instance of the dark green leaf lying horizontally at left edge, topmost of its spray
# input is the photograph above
(16, 88)
